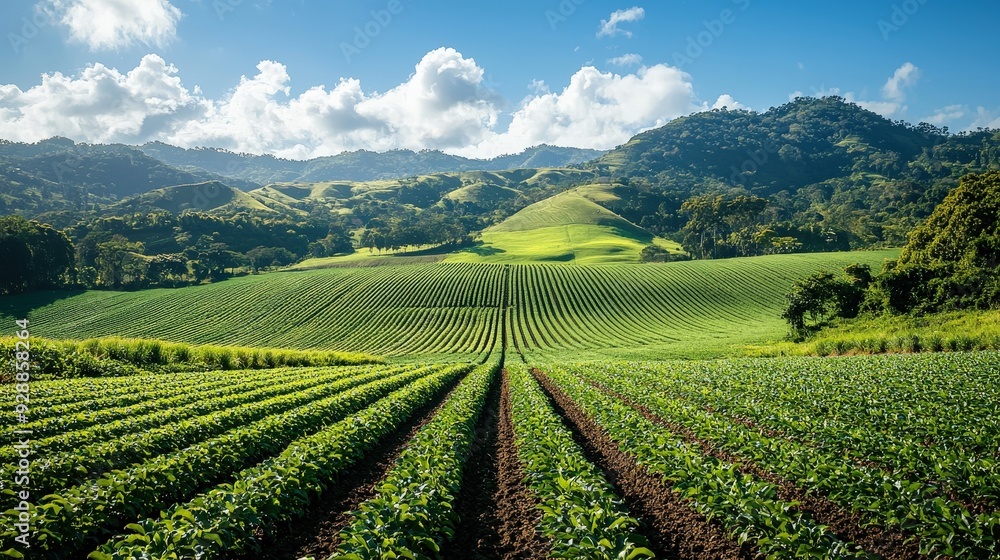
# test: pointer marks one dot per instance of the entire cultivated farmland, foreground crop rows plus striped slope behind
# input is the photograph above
(522, 411)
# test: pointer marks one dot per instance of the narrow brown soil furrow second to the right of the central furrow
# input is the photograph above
(844, 524)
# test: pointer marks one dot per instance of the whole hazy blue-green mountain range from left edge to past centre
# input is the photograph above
(60, 176)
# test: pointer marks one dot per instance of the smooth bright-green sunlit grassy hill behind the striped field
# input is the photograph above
(568, 227)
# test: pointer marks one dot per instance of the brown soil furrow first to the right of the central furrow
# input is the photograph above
(674, 529)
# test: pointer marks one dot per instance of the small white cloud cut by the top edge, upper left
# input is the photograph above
(115, 24)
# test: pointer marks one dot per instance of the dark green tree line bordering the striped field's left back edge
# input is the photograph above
(160, 249)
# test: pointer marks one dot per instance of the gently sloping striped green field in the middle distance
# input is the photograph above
(679, 309)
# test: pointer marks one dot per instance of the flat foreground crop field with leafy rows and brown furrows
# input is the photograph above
(857, 457)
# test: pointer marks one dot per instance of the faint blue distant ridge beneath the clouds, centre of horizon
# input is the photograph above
(360, 165)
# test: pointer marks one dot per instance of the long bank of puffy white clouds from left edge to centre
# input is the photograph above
(442, 105)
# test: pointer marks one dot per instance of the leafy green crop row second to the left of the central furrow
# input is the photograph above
(227, 518)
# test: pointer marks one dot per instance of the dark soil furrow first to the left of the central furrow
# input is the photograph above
(318, 533)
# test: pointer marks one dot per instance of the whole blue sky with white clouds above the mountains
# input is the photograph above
(301, 78)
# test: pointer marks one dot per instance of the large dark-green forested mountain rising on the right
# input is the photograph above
(822, 168)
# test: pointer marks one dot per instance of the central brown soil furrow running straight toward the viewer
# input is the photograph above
(496, 509)
